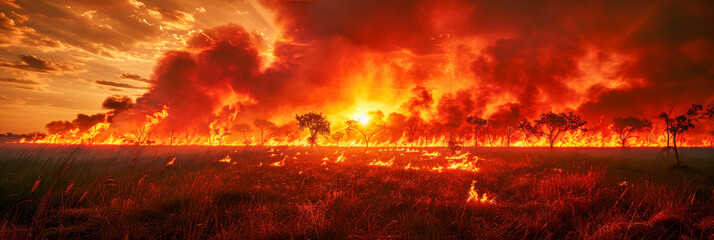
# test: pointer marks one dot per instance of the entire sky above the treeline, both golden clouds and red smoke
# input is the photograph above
(441, 59)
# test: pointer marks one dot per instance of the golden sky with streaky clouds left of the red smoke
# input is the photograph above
(61, 58)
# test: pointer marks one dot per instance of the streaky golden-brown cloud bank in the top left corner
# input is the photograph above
(108, 28)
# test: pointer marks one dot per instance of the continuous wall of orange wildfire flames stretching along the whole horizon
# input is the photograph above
(150, 132)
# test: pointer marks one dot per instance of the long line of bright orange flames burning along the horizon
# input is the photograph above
(218, 133)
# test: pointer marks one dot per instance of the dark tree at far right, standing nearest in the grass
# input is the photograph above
(676, 124)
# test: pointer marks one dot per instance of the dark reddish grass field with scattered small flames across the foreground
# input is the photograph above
(202, 192)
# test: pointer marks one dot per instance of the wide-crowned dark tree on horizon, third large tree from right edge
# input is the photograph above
(556, 123)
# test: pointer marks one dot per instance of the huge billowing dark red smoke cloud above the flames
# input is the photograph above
(512, 59)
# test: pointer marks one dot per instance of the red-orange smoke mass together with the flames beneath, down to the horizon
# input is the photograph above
(421, 67)
